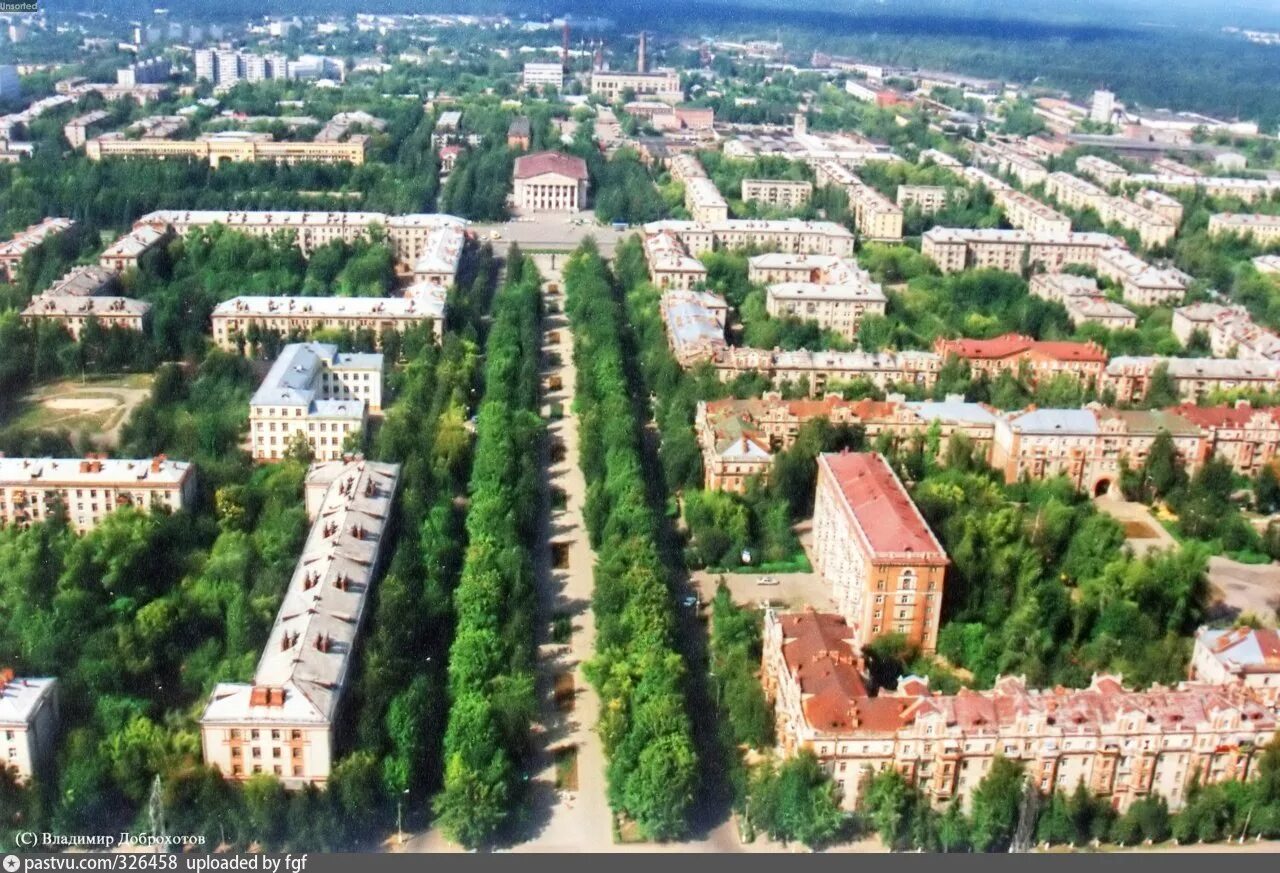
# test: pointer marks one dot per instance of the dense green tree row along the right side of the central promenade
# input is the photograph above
(641, 677)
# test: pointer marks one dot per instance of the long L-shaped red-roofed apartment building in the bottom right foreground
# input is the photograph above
(1121, 744)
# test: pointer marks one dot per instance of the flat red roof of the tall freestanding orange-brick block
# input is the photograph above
(883, 508)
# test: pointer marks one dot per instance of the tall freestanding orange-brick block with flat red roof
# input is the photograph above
(874, 547)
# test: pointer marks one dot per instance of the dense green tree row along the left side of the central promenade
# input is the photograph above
(491, 674)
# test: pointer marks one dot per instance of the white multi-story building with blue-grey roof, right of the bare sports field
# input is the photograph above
(316, 392)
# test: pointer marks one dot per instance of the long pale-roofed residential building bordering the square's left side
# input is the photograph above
(429, 246)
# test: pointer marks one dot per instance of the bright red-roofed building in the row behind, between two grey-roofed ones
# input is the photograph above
(1043, 359)
